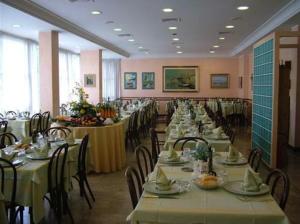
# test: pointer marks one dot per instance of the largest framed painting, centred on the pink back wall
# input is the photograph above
(180, 78)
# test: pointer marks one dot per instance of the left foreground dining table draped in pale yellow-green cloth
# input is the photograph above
(32, 178)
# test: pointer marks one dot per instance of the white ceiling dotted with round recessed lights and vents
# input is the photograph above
(198, 30)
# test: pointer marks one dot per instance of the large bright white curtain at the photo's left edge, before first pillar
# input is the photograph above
(19, 74)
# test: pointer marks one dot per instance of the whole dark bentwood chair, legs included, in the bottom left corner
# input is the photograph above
(10, 203)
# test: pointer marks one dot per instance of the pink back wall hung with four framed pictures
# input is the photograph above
(206, 66)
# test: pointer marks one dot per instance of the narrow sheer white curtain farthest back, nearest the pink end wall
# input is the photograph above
(111, 78)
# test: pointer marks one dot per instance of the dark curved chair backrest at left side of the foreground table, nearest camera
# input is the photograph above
(134, 184)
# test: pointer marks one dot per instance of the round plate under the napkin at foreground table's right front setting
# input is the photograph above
(235, 187)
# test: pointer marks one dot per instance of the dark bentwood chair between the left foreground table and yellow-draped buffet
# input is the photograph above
(81, 176)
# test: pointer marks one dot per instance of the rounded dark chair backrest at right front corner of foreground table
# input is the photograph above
(279, 184)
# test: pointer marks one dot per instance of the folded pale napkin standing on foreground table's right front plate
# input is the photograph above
(252, 180)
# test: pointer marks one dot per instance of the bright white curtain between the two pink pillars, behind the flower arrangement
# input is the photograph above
(69, 74)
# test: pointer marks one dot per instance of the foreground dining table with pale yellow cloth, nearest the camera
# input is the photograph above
(187, 202)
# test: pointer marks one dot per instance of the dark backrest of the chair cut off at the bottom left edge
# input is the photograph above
(5, 166)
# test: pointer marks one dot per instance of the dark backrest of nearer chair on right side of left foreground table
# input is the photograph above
(56, 169)
